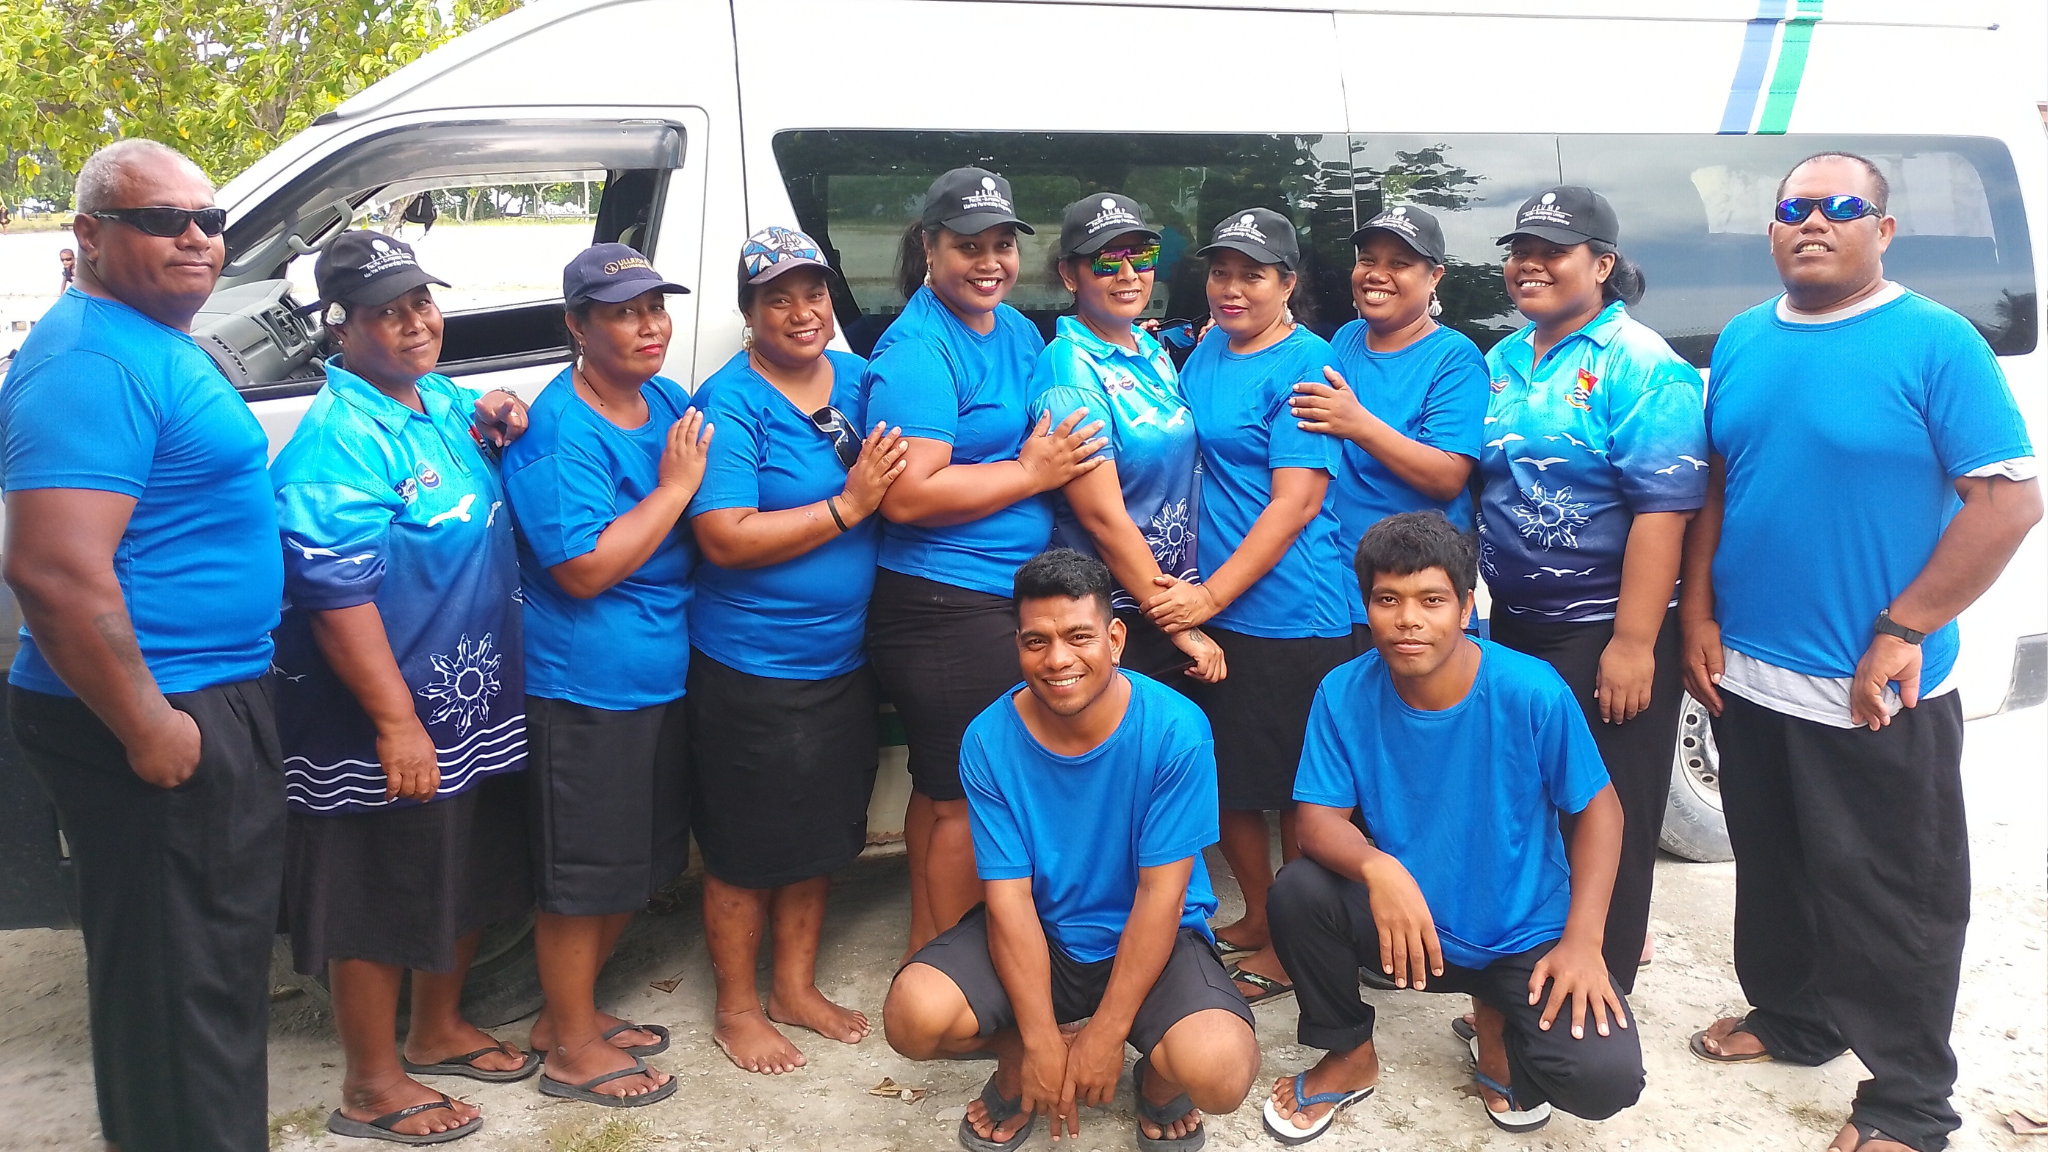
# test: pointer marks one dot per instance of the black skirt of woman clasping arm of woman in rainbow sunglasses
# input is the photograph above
(1261, 712)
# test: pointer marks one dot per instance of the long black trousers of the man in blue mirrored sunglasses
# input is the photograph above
(1852, 893)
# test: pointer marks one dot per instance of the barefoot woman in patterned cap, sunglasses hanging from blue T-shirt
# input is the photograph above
(783, 714)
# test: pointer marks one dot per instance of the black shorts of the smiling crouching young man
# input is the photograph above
(1191, 983)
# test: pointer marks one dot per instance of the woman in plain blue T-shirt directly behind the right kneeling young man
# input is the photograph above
(1410, 401)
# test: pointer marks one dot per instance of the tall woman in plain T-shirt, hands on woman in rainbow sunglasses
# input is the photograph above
(970, 509)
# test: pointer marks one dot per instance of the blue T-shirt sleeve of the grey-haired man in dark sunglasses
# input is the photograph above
(83, 421)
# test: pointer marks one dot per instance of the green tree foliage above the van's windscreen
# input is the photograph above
(224, 81)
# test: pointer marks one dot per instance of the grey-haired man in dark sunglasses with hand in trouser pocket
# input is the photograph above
(142, 546)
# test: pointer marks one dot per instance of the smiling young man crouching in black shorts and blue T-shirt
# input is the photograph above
(1093, 796)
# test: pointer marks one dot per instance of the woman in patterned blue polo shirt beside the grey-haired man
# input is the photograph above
(400, 704)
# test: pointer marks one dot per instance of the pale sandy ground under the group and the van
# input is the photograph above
(2002, 1034)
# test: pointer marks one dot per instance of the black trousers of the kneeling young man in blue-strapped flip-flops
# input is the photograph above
(1324, 932)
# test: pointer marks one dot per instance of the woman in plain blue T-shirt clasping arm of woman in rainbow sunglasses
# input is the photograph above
(1271, 591)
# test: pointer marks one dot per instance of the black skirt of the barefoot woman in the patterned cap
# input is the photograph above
(783, 772)
